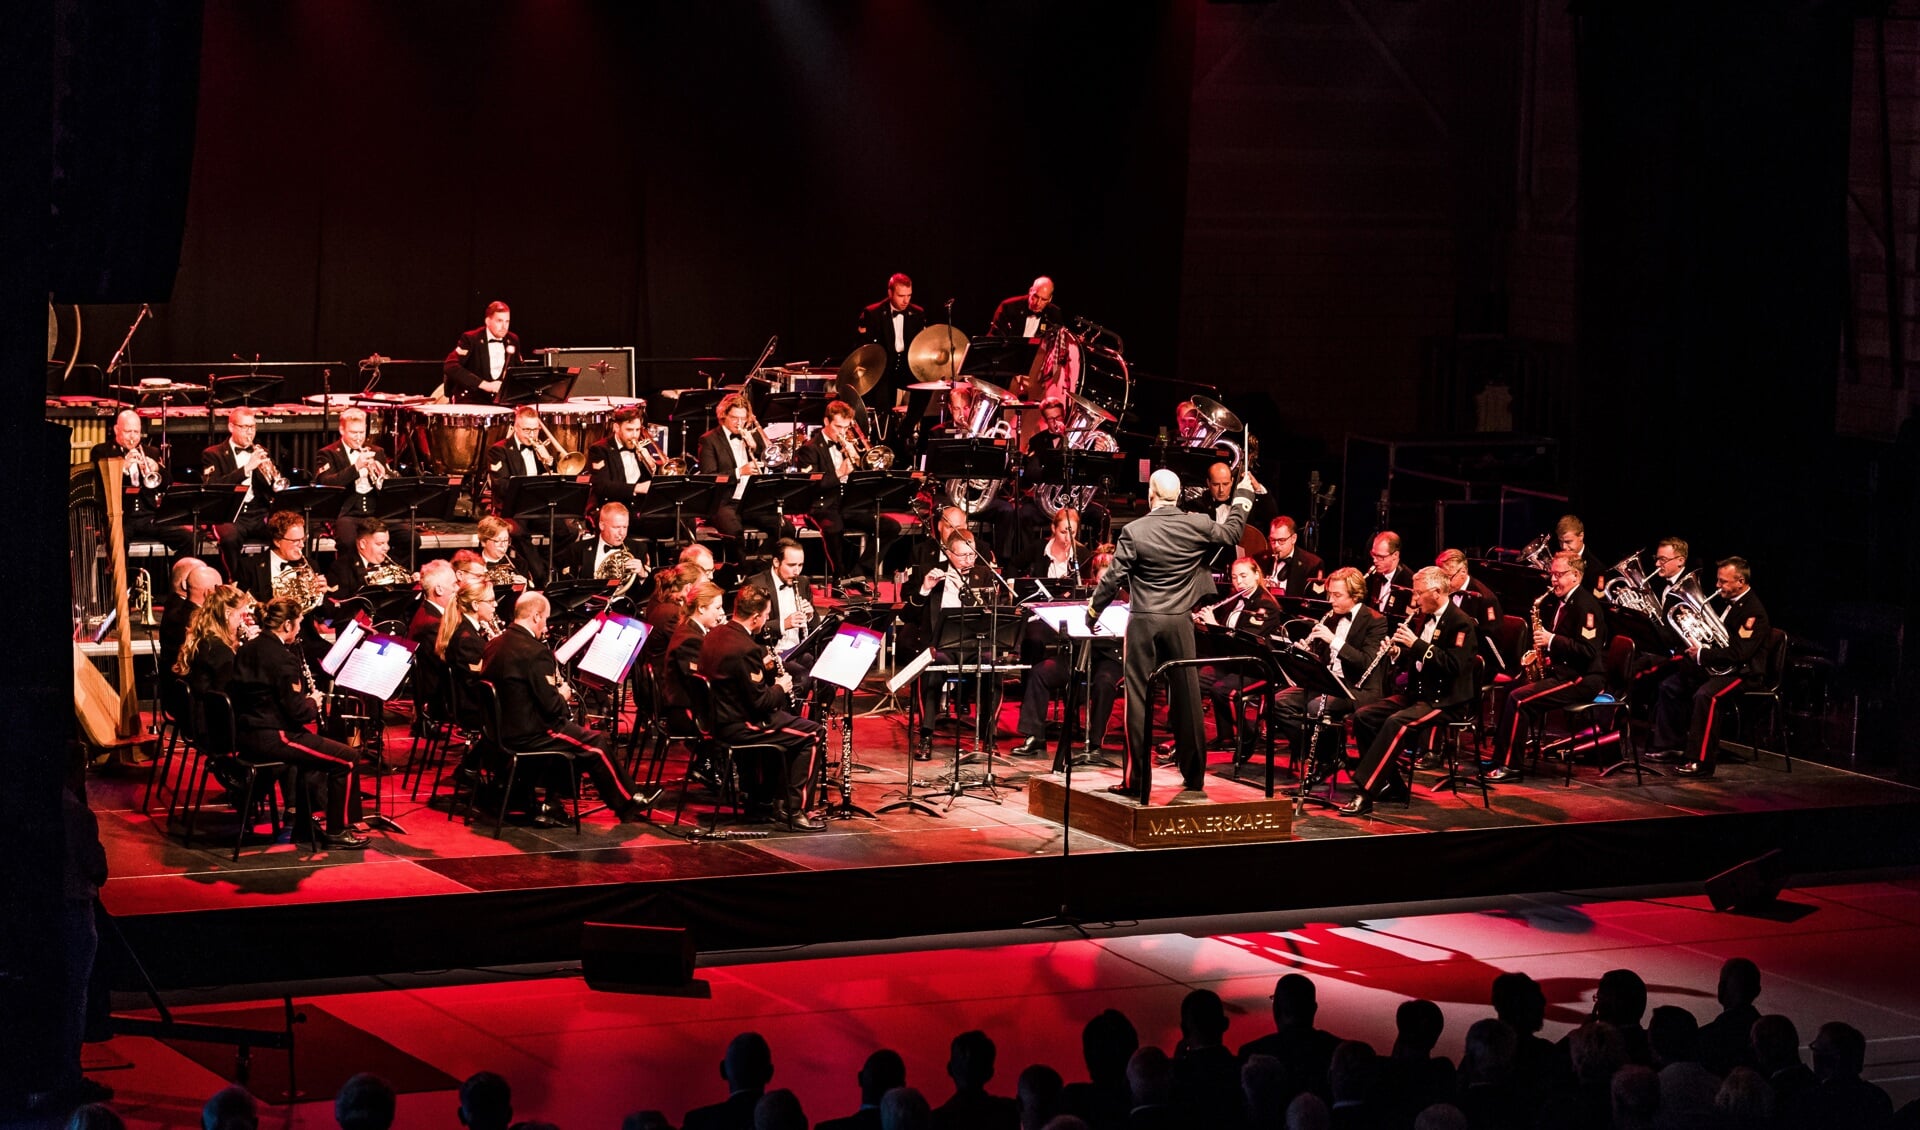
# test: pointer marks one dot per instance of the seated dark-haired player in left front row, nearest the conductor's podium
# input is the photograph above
(752, 703)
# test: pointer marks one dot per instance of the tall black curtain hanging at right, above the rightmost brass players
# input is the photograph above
(1714, 176)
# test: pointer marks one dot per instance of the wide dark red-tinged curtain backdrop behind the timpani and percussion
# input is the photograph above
(686, 179)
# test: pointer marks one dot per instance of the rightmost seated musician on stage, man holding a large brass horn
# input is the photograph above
(1692, 692)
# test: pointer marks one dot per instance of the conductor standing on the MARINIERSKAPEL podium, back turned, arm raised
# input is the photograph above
(1163, 561)
